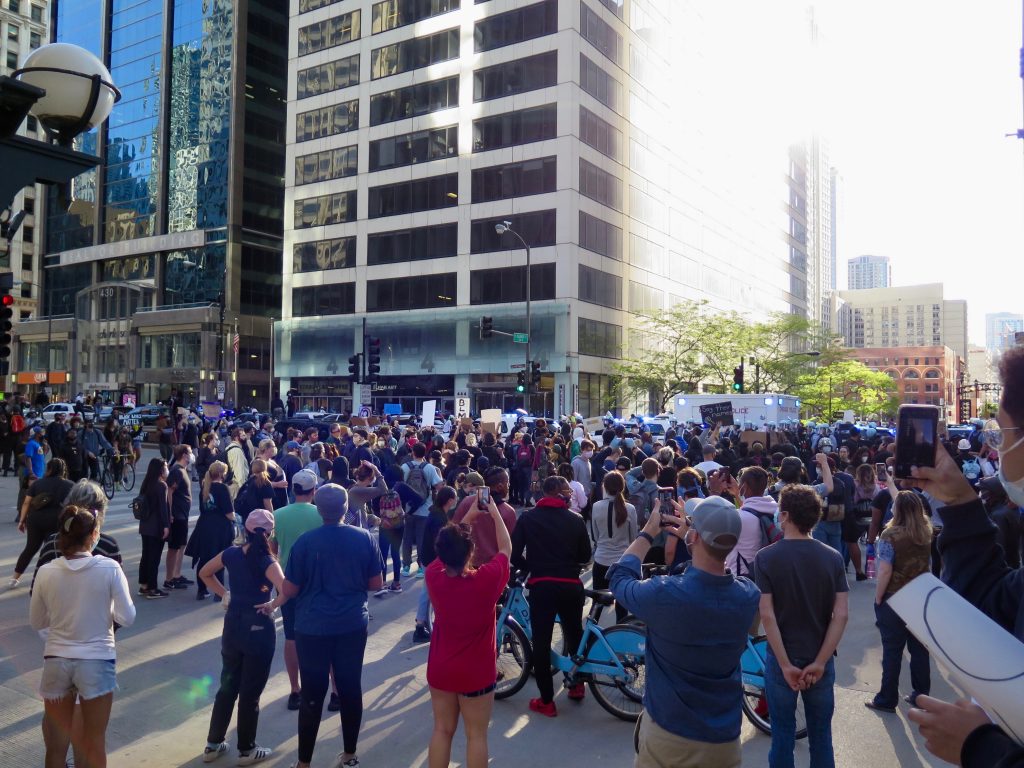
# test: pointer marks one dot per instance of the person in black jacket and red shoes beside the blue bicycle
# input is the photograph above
(558, 547)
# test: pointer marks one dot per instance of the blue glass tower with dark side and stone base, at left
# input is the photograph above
(172, 249)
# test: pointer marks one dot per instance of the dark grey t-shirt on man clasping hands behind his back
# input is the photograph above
(803, 576)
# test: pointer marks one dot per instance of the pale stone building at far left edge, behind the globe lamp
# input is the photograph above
(24, 27)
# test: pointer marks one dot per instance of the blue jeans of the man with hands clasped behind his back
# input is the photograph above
(820, 703)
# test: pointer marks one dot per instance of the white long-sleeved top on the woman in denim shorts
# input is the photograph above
(78, 601)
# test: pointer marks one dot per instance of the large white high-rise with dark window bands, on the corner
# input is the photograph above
(415, 126)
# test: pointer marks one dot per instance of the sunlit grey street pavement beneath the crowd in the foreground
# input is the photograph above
(168, 664)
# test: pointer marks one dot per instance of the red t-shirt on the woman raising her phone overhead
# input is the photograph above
(462, 658)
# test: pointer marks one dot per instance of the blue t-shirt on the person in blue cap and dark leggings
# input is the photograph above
(332, 567)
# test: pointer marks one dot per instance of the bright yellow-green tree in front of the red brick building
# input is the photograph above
(846, 386)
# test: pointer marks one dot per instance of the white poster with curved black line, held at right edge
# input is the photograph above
(985, 660)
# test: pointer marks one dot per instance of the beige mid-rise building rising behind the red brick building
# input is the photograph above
(903, 317)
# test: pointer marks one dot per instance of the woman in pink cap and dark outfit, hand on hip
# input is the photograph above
(248, 642)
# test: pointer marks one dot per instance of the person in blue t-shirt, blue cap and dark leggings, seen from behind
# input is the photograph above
(329, 572)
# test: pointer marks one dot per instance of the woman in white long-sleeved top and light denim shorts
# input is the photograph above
(76, 601)
